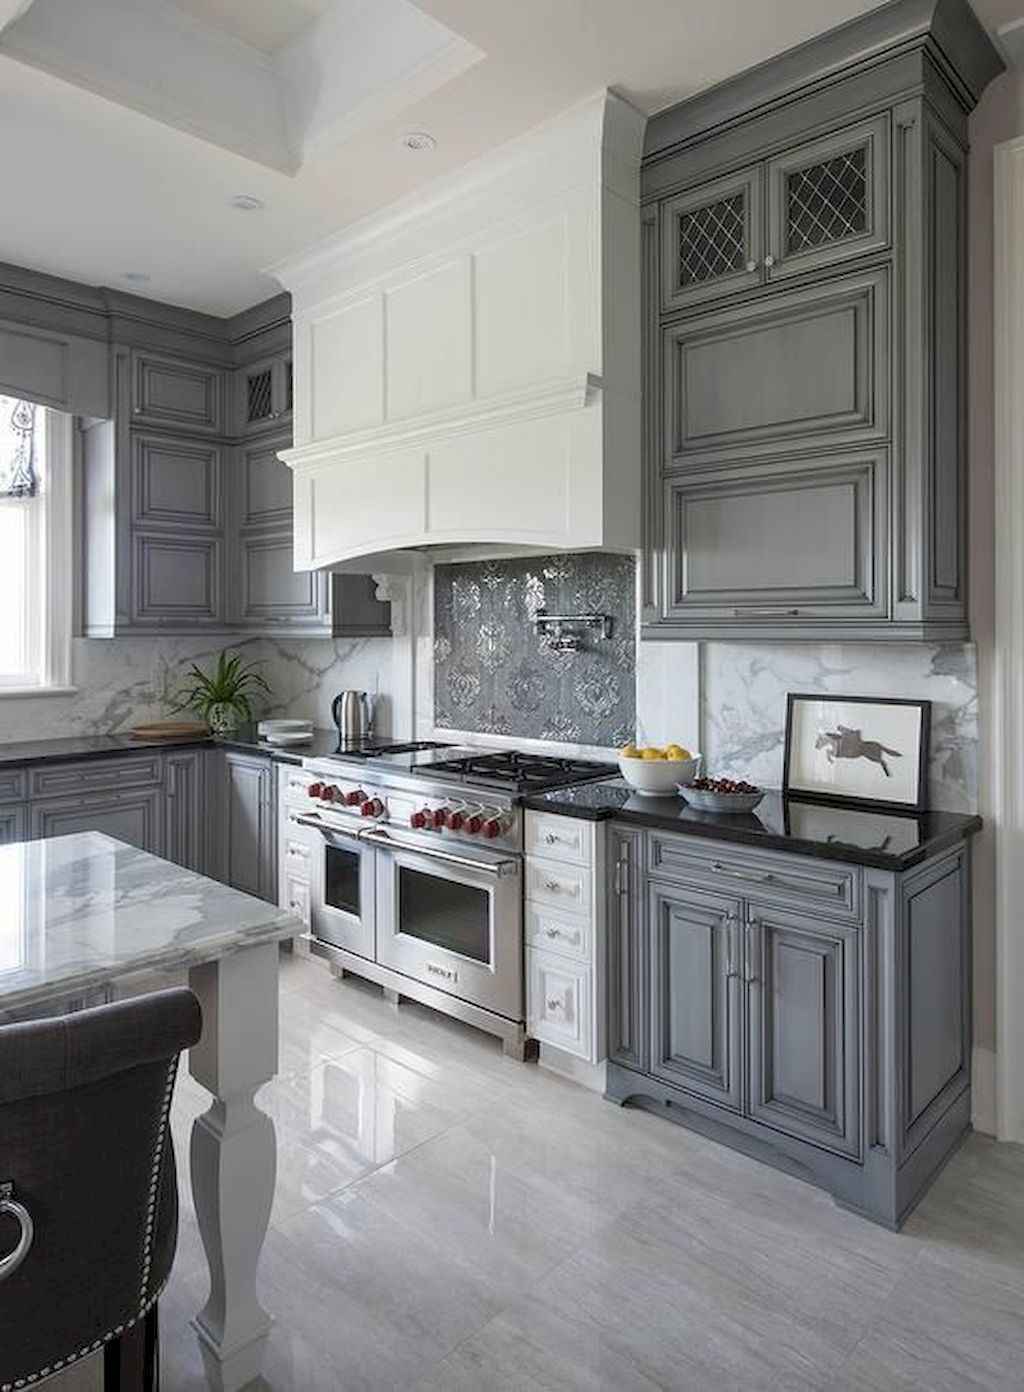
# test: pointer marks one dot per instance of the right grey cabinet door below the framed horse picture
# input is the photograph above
(803, 983)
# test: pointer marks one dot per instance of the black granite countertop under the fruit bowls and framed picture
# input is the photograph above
(884, 840)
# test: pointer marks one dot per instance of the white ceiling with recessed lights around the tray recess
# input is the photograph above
(104, 190)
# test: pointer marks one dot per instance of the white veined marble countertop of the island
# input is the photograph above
(83, 911)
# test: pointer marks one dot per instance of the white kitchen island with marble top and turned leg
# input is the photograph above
(84, 918)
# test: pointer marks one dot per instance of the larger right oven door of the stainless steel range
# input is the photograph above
(453, 921)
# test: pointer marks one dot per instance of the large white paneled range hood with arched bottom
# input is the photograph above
(468, 363)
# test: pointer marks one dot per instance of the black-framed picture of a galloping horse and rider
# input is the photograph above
(863, 750)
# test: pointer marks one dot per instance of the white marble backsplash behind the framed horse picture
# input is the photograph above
(744, 705)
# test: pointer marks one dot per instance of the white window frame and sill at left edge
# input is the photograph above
(51, 590)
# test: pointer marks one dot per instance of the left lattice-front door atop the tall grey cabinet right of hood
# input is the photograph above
(713, 240)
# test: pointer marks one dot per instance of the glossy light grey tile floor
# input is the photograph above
(451, 1221)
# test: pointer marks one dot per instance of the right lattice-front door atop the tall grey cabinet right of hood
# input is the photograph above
(829, 200)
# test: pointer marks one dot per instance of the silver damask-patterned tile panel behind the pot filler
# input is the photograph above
(493, 673)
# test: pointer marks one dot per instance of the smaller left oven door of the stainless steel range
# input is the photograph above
(343, 890)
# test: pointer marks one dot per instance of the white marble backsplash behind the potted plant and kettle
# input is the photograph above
(127, 680)
